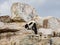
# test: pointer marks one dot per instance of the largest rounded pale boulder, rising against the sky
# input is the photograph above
(21, 11)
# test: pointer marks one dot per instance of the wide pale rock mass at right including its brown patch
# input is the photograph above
(48, 22)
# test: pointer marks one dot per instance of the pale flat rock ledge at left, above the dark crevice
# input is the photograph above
(15, 25)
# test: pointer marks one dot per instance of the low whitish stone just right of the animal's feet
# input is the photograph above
(45, 33)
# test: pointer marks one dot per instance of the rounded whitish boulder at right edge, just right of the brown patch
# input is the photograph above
(52, 23)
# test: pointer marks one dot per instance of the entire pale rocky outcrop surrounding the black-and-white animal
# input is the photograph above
(14, 33)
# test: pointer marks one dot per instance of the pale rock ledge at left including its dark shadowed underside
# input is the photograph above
(10, 27)
